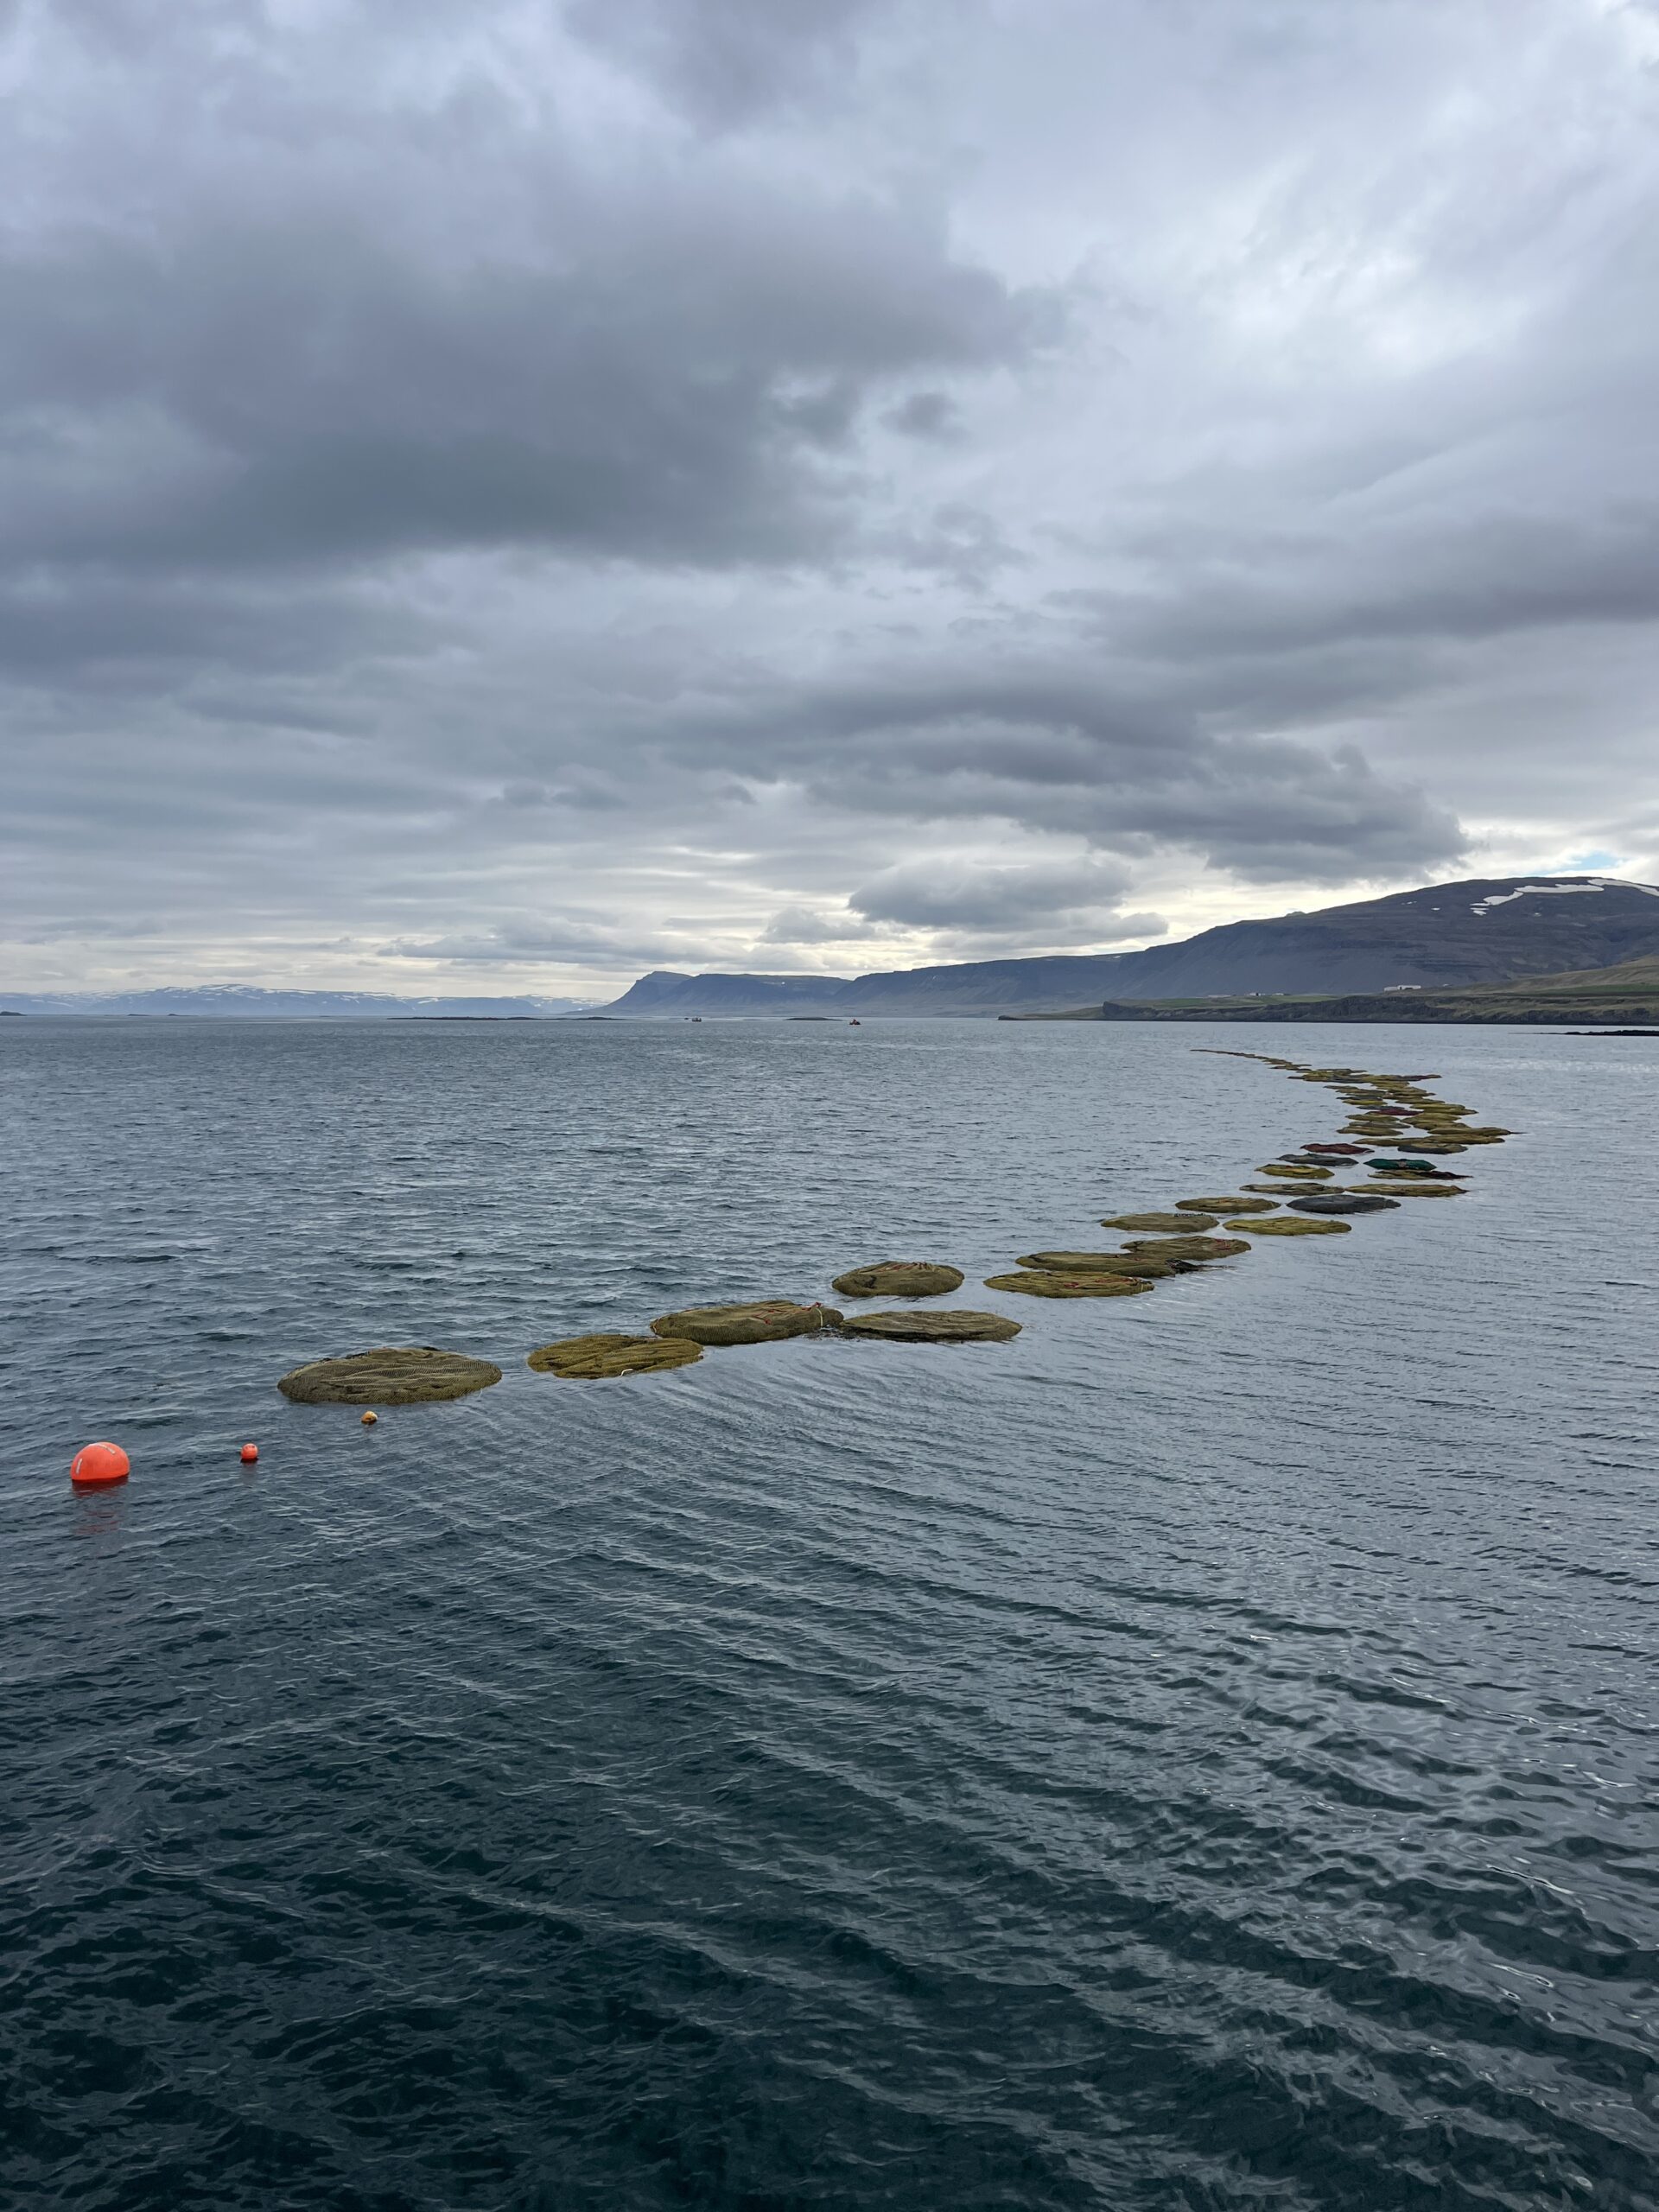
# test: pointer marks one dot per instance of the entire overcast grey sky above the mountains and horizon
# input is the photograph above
(508, 497)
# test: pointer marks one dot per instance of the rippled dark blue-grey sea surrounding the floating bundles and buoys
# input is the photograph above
(1198, 1755)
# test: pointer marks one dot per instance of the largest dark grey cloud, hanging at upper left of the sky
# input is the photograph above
(667, 384)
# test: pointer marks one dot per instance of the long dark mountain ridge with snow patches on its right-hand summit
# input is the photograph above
(1443, 937)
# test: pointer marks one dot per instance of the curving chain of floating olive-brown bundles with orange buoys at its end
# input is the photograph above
(1397, 1138)
